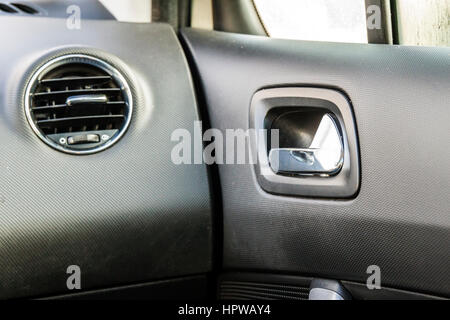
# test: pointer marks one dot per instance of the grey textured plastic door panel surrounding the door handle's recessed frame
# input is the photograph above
(400, 220)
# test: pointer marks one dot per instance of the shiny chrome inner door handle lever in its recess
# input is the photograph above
(324, 157)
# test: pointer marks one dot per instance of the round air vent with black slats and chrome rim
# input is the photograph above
(78, 104)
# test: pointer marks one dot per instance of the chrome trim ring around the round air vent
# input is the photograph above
(88, 60)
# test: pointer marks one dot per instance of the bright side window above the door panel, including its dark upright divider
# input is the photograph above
(408, 22)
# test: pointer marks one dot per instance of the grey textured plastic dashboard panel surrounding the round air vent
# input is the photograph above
(124, 215)
